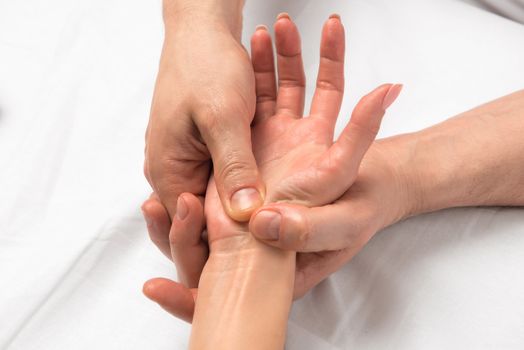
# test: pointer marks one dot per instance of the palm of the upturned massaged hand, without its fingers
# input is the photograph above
(286, 150)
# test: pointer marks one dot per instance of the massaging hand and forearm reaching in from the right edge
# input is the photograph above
(399, 177)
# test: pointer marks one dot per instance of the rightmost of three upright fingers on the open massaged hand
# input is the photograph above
(330, 80)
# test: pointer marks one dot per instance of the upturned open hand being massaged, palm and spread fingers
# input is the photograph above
(296, 156)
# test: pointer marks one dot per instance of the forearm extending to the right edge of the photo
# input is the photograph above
(475, 158)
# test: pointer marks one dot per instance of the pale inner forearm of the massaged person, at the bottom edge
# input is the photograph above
(244, 299)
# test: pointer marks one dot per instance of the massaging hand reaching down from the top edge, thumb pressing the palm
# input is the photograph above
(202, 108)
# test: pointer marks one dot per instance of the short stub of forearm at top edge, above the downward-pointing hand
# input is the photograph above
(226, 13)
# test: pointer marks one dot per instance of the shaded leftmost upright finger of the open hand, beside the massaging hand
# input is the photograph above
(265, 80)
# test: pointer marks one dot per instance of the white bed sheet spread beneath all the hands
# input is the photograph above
(76, 79)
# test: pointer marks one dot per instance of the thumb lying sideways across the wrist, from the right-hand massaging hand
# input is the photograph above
(331, 227)
